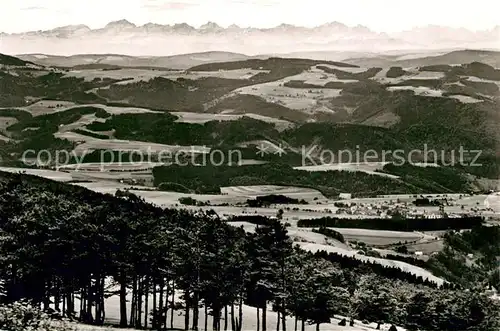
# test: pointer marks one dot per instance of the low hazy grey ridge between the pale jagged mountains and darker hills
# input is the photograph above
(185, 61)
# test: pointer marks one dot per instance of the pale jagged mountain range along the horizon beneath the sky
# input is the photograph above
(124, 37)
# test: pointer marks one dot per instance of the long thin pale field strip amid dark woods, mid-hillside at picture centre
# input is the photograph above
(200, 118)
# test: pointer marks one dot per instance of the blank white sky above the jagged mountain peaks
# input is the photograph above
(379, 15)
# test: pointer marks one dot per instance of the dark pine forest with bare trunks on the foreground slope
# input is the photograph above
(60, 240)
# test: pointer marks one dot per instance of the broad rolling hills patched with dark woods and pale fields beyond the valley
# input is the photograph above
(331, 105)
